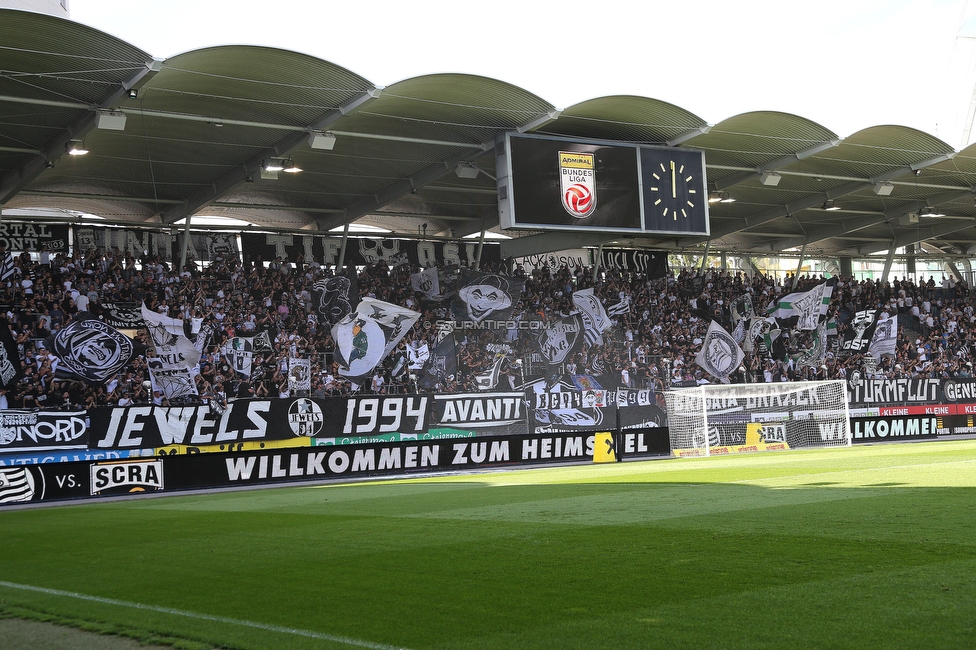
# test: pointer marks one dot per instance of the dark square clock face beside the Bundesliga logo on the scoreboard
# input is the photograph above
(674, 191)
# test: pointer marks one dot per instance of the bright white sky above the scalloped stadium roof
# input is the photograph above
(845, 64)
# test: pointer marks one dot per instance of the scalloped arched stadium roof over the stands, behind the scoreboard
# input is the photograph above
(199, 126)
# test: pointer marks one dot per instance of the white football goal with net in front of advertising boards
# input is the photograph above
(732, 418)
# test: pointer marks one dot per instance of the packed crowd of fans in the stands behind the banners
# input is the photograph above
(652, 345)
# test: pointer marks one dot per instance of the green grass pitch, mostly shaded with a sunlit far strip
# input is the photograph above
(868, 547)
